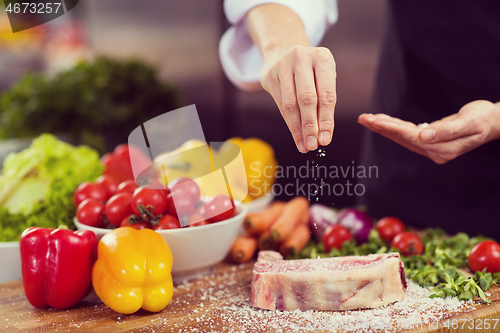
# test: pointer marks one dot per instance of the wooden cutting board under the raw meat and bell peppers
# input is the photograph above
(219, 301)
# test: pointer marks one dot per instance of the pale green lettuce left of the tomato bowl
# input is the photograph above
(37, 185)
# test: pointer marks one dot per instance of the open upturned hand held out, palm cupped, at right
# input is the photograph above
(443, 140)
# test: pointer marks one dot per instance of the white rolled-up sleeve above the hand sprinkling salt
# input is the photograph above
(240, 58)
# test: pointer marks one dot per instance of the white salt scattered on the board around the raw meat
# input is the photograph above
(233, 311)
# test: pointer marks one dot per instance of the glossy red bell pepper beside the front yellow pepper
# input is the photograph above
(57, 266)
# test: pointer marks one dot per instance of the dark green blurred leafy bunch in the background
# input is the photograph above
(97, 103)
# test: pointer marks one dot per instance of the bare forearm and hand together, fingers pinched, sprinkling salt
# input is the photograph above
(300, 78)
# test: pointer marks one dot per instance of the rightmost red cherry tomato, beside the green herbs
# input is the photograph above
(485, 255)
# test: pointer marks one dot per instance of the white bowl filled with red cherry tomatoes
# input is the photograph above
(195, 249)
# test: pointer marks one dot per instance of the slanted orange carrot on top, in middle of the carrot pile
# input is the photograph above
(292, 215)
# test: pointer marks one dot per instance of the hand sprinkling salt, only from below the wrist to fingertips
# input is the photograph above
(301, 81)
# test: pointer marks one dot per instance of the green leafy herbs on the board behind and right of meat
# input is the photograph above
(440, 266)
